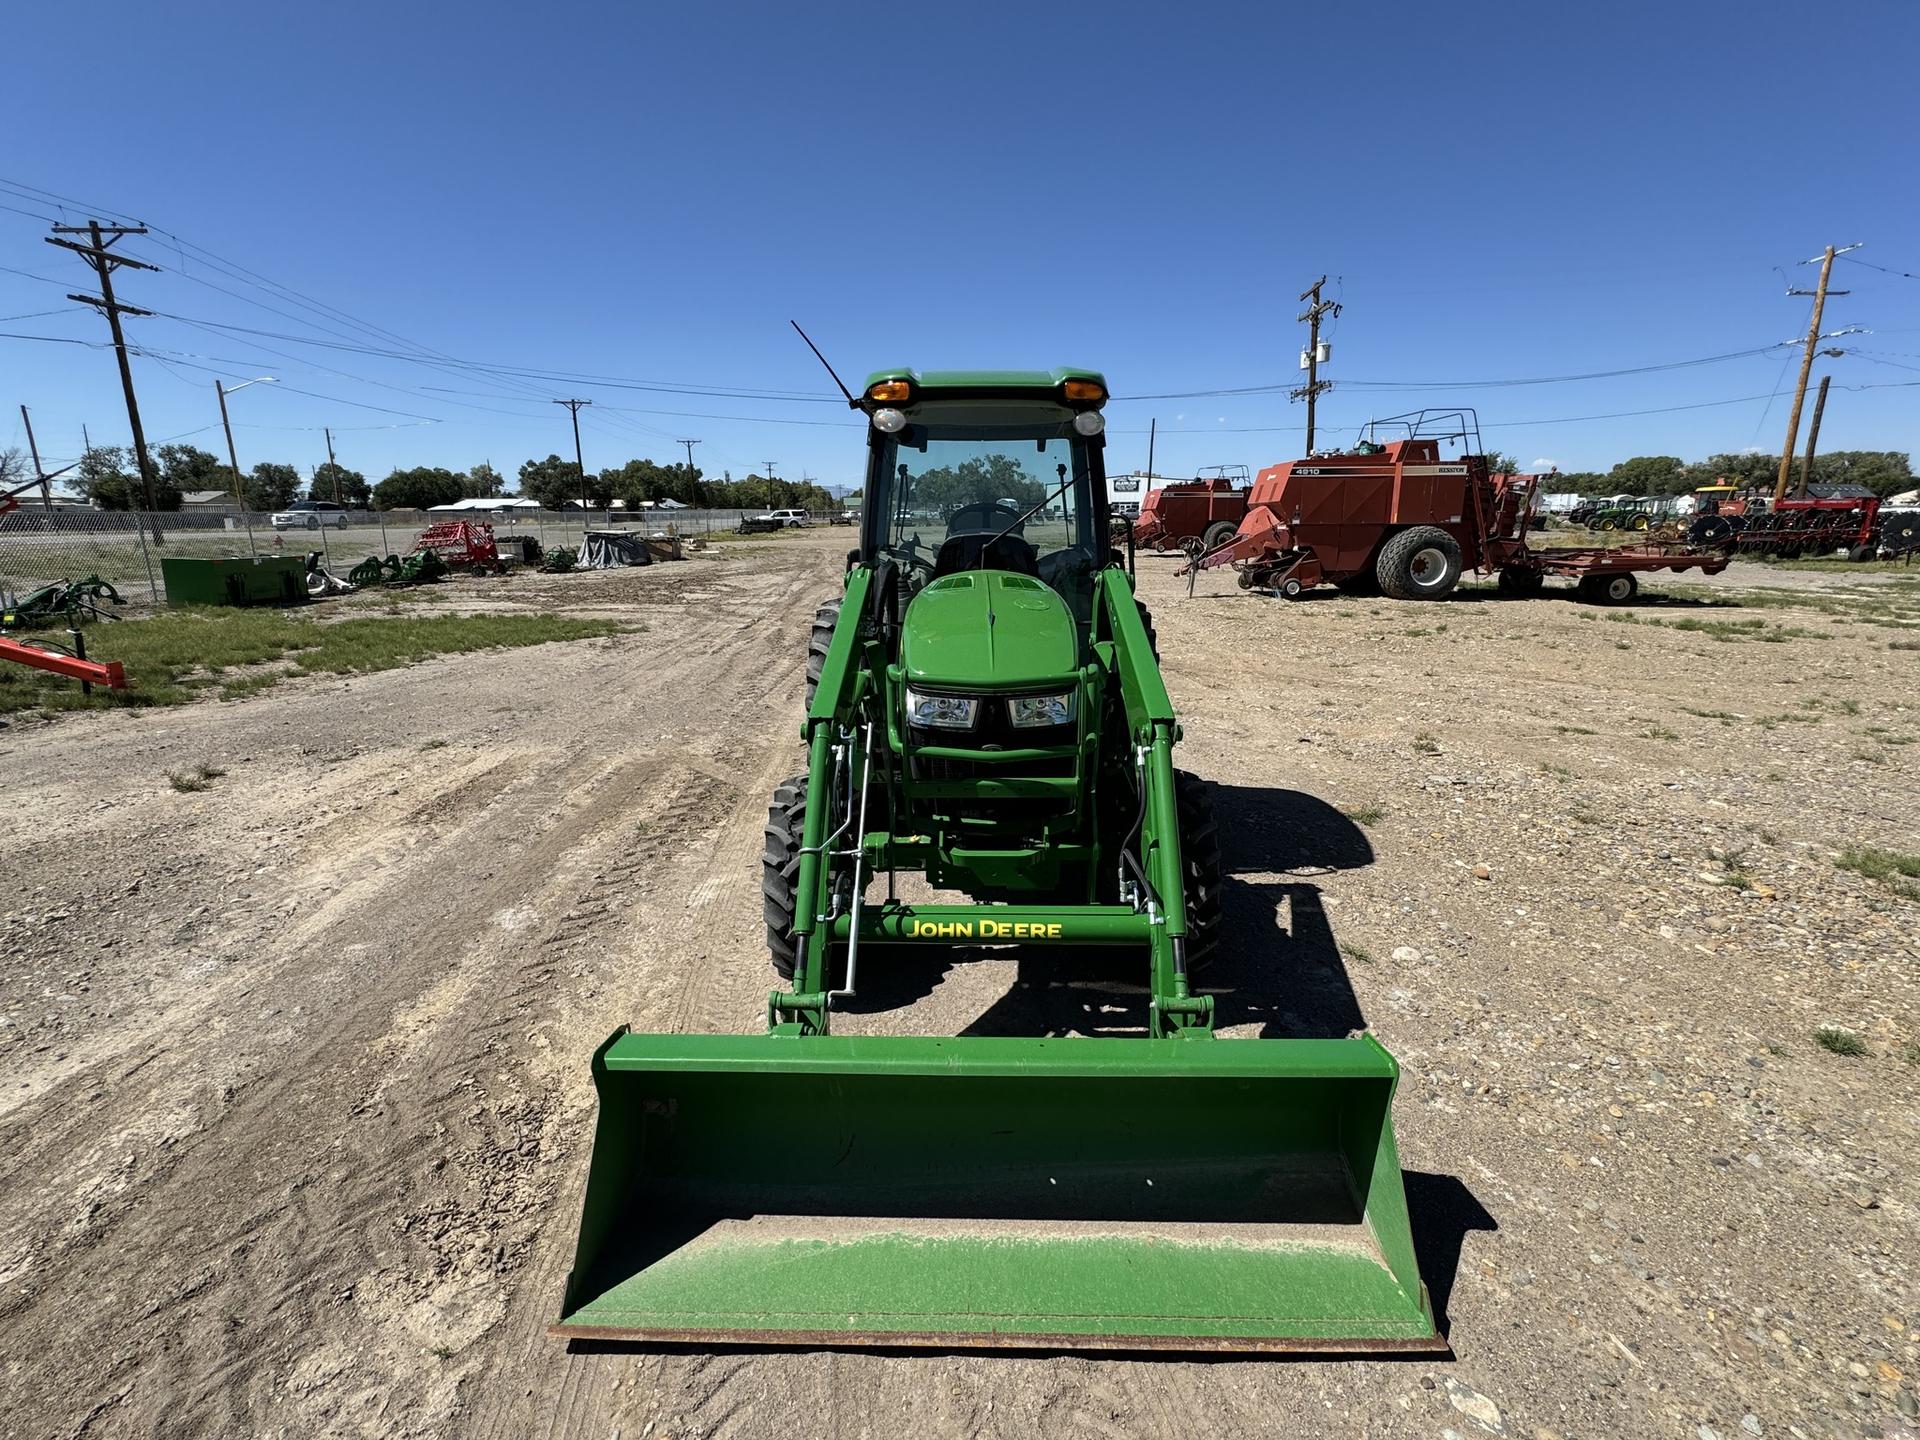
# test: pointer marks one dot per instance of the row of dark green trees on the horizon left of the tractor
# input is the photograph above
(107, 479)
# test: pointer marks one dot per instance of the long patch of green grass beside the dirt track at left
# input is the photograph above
(183, 656)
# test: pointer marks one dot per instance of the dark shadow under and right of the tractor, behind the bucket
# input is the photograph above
(1278, 965)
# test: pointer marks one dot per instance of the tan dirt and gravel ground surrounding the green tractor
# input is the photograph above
(293, 1072)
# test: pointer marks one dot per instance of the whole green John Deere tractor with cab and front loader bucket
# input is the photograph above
(986, 715)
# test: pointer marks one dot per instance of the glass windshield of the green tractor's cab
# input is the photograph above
(961, 504)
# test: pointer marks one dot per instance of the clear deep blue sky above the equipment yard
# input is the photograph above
(650, 193)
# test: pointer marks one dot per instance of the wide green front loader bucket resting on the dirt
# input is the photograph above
(1063, 1193)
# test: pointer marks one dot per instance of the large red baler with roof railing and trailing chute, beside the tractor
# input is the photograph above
(1397, 519)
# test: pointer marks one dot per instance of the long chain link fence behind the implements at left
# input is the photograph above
(49, 546)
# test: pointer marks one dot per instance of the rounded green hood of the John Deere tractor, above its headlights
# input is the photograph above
(988, 631)
